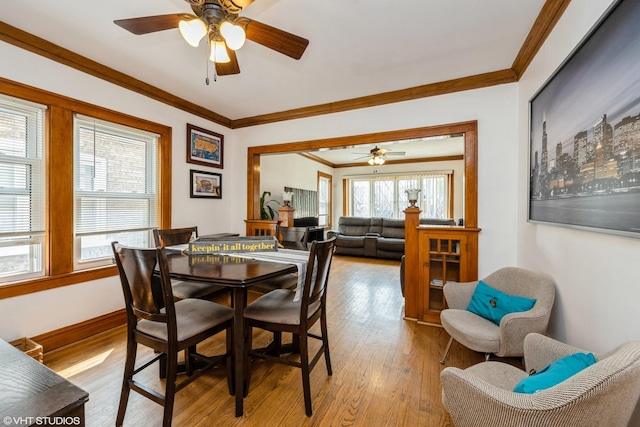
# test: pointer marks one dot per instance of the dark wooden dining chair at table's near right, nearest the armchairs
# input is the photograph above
(285, 310)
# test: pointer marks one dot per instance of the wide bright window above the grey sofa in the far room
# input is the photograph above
(384, 195)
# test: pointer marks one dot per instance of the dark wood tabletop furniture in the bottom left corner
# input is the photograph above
(32, 394)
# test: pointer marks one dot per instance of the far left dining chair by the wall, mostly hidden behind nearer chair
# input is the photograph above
(186, 289)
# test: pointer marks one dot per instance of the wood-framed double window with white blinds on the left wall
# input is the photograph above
(50, 188)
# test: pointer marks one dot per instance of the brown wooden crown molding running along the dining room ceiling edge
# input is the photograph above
(549, 15)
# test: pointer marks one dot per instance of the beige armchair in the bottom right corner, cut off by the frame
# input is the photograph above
(604, 394)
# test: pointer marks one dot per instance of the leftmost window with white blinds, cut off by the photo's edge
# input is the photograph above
(22, 190)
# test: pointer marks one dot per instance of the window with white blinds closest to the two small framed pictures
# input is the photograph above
(116, 189)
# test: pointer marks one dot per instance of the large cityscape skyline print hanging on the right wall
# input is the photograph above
(584, 126)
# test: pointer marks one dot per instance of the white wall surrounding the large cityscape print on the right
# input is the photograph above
(596, 274)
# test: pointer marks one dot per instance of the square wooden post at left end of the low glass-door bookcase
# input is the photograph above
(411, 262)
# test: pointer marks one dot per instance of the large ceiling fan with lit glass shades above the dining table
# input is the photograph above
(226, 31)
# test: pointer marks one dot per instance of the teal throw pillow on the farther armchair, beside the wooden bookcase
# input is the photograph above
(493, 304)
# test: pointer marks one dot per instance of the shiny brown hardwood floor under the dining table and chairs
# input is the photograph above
(385, 369)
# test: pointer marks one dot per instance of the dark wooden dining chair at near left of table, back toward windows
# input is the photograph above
(156, 320)
